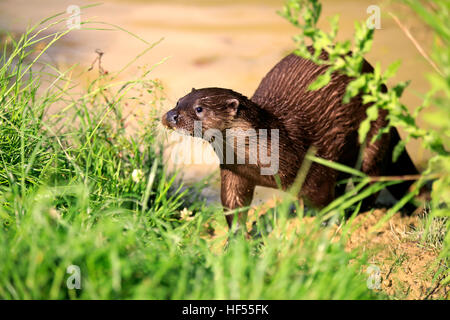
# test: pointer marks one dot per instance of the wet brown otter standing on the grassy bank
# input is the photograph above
(304, 119)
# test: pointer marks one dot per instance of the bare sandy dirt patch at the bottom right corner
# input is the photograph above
(407, 266)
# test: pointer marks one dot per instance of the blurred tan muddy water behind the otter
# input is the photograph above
(215, 43)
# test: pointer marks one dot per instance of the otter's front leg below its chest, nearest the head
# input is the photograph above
(235, 192)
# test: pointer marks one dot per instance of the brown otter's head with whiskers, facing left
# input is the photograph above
(212, 108)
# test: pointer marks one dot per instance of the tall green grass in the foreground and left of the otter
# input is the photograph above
(76, 189)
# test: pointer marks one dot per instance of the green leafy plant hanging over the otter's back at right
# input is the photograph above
(305, 14)
